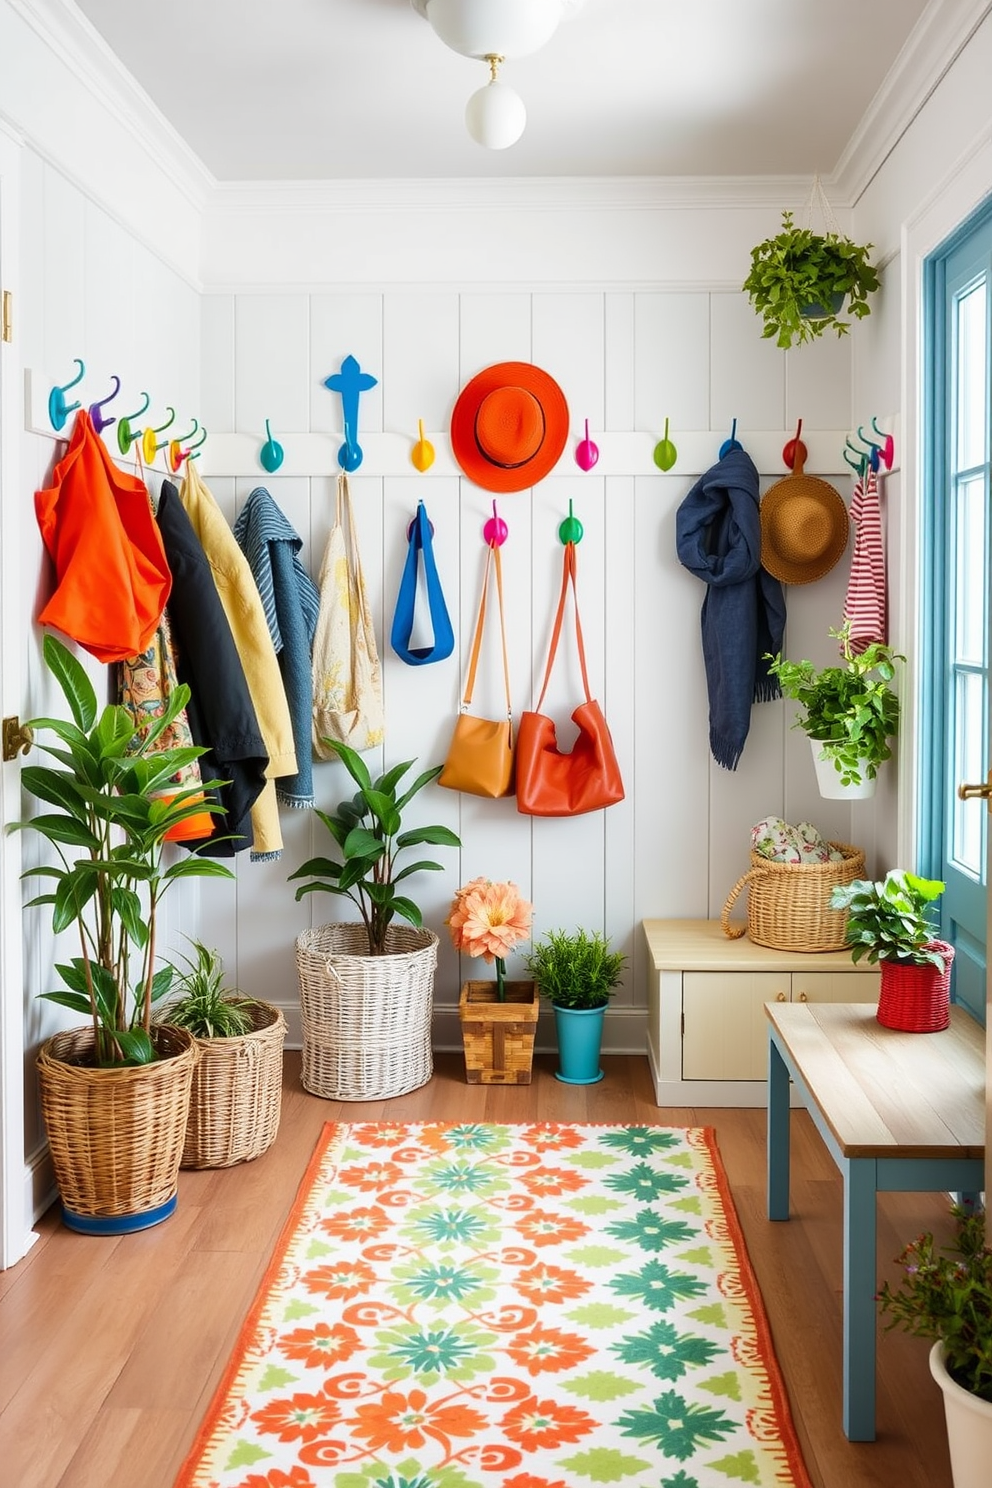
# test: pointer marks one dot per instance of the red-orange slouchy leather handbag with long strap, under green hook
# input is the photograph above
(551, 783)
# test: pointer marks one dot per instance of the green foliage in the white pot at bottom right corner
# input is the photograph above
(947, 1295)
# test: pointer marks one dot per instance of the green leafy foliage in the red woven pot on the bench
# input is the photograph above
(890, 920)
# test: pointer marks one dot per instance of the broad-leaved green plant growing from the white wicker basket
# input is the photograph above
(368, 831)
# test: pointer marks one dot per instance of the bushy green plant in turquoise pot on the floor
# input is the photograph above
(579, 975)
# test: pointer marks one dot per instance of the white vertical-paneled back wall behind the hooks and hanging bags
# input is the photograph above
(627, 361)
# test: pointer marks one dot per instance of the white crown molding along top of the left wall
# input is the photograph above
(63, 28)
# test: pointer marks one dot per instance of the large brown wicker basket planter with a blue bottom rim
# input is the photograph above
(117, 1136)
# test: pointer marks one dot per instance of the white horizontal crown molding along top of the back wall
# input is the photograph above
(533, 193)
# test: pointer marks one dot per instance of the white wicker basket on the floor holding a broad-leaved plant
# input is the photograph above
(367, 1019)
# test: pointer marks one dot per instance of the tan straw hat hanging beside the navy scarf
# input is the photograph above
(805, 529)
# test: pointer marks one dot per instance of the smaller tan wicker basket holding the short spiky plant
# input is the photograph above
(234, 1109)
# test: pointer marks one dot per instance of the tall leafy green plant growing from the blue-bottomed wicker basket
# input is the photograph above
(112, 804)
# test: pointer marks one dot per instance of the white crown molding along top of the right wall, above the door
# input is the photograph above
(932, 50)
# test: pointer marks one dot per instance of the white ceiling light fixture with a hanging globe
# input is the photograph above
(493, 31)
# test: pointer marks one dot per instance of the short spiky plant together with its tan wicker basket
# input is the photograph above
(237, 1093)
